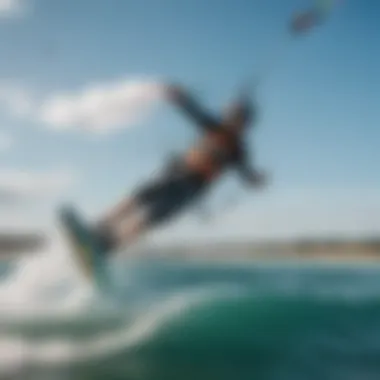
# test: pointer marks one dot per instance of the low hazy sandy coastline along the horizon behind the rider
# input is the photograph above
(12, 244)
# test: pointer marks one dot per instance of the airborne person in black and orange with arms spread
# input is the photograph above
(186, 178)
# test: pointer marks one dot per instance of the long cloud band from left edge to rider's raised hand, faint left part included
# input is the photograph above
(97, 108)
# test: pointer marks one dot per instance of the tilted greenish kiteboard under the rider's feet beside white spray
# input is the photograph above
(91, 259)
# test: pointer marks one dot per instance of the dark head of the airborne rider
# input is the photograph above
(240, 114)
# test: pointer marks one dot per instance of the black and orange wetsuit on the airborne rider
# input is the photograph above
(187, 179)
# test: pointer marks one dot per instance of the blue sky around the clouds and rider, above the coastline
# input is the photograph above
(319, 127)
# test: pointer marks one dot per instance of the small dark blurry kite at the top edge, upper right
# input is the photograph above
(305, 20)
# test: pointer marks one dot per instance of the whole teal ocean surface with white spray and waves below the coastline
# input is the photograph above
(177, 319)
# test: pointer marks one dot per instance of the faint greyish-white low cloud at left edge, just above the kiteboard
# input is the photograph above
(19, 185)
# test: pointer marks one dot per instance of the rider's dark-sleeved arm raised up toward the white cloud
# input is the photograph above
(191, 108)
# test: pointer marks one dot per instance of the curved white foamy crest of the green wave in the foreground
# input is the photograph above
(63, 352)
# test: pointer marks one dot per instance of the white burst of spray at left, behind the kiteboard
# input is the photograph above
(44, 282)
